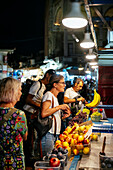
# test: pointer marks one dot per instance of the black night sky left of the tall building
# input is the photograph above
(22, 25)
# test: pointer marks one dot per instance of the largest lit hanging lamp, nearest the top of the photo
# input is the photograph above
(75, 19)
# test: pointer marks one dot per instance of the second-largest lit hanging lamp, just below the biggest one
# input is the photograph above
(87, 42)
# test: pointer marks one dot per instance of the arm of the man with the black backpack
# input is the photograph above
(30, 101)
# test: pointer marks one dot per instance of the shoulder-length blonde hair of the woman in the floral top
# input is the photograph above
(9, 88)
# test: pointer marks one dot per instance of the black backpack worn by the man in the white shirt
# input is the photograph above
(25, 91)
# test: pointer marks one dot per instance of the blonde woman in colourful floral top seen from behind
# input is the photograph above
(13, 130)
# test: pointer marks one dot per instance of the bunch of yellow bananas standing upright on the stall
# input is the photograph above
(95, 101)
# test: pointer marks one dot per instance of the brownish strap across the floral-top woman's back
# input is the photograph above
(7, 116)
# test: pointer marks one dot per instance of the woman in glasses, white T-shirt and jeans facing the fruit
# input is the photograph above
(50, 106)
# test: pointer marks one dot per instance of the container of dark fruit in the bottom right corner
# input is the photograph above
(106, 161)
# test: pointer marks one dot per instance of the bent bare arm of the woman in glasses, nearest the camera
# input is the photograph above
(46, 111)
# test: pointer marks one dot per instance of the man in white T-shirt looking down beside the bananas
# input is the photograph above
(73, 97)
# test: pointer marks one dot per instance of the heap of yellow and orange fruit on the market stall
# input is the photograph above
(73, 139)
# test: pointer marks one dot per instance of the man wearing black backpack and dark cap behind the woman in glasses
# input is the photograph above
(33, 104)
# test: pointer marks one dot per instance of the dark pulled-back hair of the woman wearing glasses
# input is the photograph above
(54, 79)
